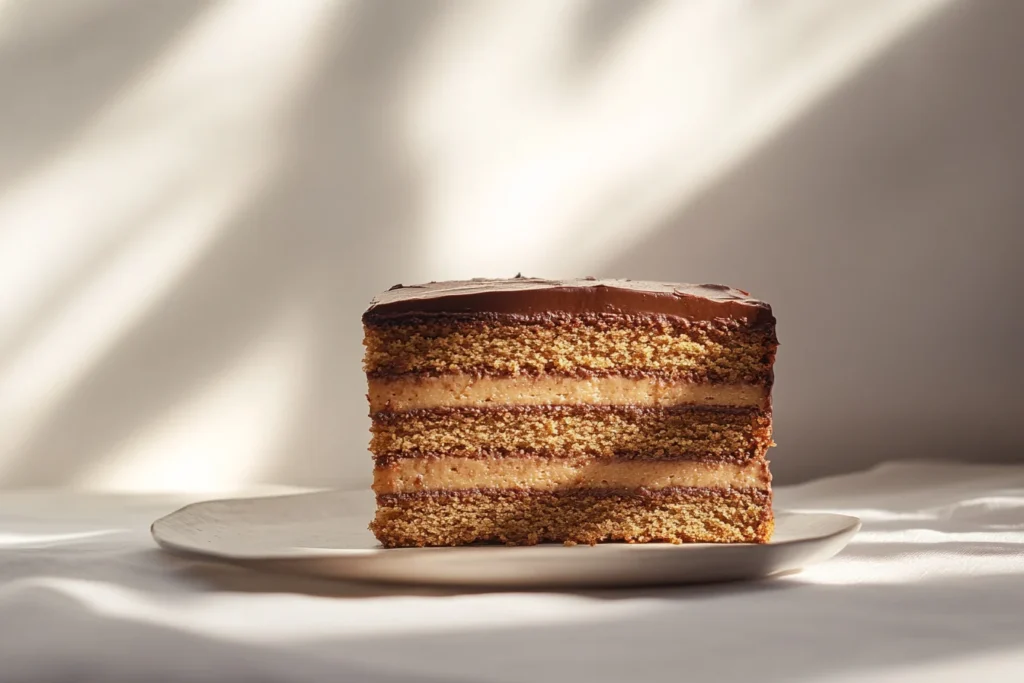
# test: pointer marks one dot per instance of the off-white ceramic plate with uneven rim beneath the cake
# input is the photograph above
(325, 535)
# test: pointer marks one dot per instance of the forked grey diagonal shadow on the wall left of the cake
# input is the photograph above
(344, 191)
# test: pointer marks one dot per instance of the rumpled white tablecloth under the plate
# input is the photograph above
(931, 590)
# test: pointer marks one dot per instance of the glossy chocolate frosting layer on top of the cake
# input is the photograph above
(532, 296)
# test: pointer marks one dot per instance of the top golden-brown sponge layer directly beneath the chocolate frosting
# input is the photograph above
(673, 349)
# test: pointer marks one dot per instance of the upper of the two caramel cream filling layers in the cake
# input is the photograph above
(407, 394)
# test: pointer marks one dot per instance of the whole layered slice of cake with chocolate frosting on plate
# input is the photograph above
(527, 411)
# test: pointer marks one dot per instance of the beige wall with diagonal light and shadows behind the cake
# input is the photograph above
(198, 200)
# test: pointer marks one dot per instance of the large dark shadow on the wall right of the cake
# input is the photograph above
(884, 227)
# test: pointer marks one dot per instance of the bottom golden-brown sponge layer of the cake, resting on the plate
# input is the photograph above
(574, 517)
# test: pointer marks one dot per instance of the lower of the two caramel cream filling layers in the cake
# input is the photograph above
(417, 475)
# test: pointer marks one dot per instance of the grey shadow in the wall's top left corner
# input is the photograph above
(63, 65)
